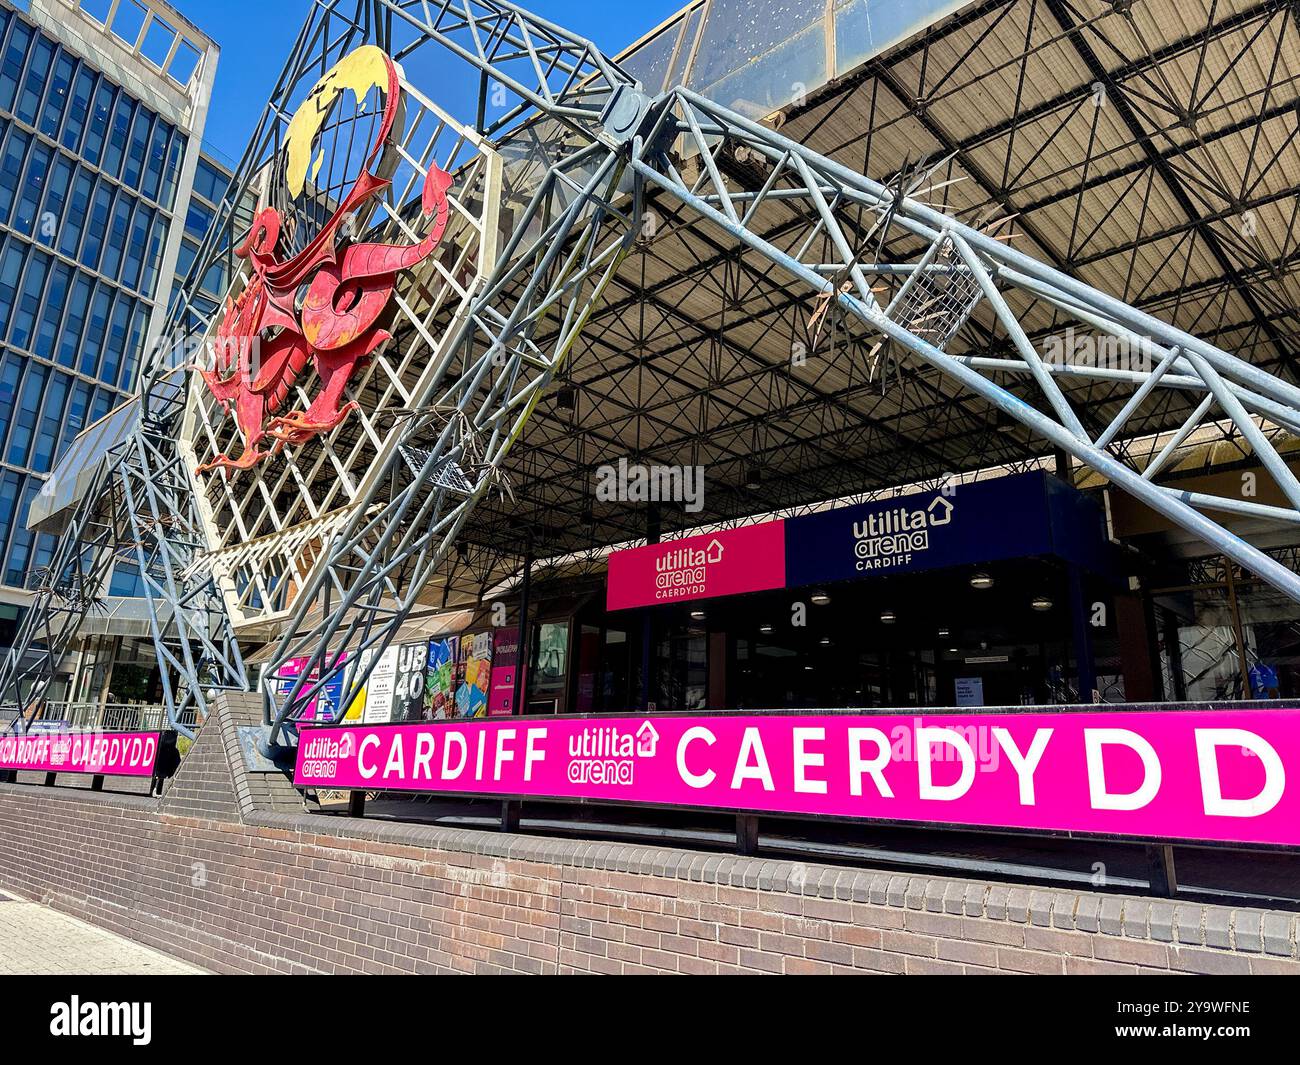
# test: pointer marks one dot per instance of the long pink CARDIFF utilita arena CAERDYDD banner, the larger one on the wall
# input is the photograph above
(1227, 776)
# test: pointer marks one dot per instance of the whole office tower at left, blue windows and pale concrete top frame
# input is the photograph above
(102, 111)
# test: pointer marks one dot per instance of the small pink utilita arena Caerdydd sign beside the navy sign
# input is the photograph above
(722, 564)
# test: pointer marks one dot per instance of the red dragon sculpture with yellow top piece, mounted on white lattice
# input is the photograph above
(346, 287)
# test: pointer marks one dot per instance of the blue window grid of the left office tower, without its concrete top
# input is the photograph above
(89, 181)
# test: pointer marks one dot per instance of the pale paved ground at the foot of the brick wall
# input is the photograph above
(36, 940)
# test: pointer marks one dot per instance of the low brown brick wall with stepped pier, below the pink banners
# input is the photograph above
(241, 887)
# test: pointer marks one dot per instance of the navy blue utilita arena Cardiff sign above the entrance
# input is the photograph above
(1029, 514)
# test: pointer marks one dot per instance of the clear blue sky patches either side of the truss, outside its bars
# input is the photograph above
(255, 37)
